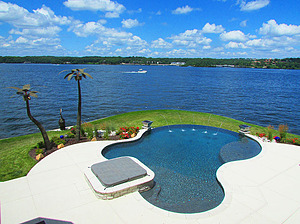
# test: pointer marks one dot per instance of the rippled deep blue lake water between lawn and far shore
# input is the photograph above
(258, 96)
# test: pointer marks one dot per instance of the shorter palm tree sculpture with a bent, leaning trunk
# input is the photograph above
(27, 93)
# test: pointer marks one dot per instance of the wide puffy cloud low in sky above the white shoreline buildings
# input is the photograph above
(190, 38)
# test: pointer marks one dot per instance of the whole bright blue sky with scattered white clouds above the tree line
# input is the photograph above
(165, 28)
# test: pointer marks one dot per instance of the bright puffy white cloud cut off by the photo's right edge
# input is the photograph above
(271, 28)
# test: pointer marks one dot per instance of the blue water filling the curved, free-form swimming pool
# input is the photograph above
(185, 159)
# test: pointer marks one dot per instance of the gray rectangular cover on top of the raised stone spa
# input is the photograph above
(117, 171)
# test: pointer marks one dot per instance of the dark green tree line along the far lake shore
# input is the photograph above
(286, 63)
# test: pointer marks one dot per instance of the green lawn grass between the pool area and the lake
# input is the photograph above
(15, 161)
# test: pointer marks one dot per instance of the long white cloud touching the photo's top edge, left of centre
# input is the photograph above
(95, 5)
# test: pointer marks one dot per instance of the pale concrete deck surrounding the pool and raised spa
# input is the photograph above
(264, 189)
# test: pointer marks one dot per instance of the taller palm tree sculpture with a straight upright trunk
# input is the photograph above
(78, 74)
